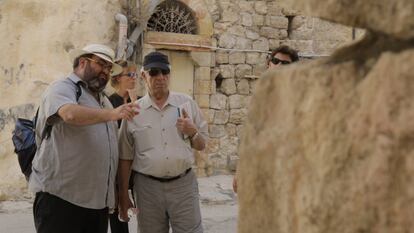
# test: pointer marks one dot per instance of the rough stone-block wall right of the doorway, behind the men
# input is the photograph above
(244, 31)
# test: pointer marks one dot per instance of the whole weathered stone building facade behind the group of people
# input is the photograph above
(223, 57)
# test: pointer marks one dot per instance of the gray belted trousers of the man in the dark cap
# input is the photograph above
(162, 204)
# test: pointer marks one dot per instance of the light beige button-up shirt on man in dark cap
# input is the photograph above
(153, 141)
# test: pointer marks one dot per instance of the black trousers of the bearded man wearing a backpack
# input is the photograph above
(55, 215)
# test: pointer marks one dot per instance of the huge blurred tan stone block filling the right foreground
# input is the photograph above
(332, 151)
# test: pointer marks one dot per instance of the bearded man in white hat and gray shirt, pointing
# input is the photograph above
(75, 165)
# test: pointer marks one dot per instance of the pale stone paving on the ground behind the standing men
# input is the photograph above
(218, 206)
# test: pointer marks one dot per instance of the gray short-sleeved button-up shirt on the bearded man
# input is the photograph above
(76, 163)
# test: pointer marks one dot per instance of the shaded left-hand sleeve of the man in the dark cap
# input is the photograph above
(126, 142)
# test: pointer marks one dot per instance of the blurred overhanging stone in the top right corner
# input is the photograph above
(364, 14)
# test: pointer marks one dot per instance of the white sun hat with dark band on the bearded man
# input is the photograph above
(101, 51)
